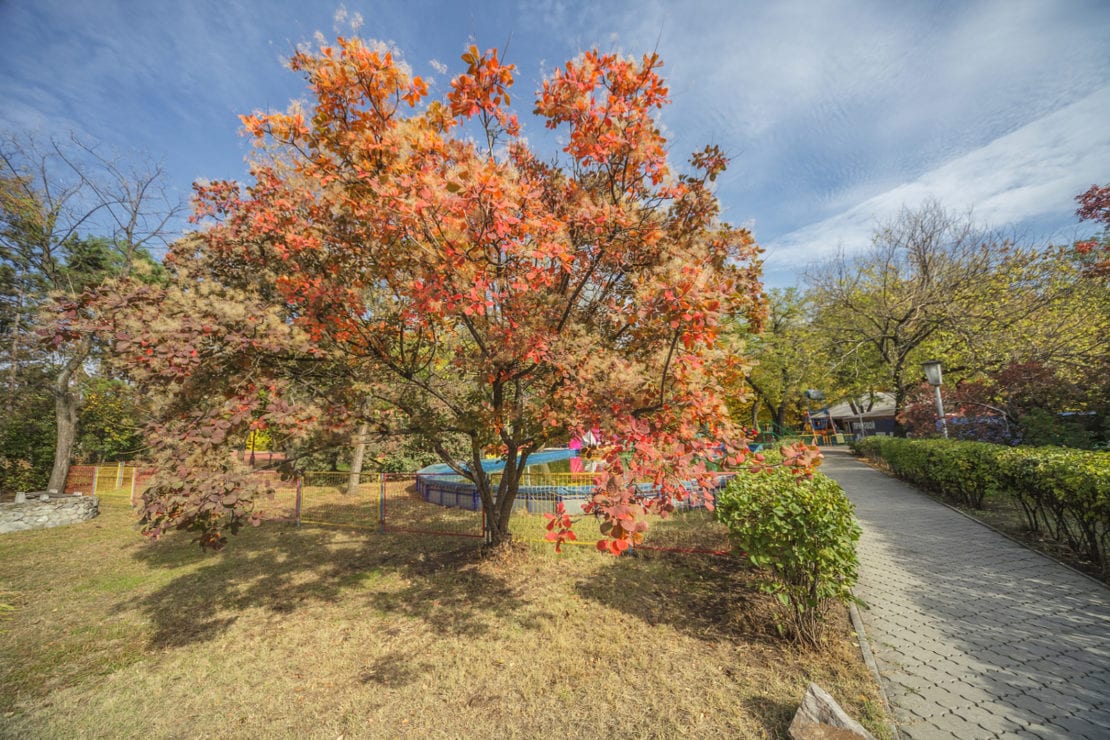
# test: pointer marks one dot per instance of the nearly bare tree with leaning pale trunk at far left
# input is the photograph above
(69, 219)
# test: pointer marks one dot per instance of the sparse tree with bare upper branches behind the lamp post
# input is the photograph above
(919, 292)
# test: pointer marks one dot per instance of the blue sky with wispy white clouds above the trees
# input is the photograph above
(836, 113)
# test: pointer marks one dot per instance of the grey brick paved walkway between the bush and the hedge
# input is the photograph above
(975, 635)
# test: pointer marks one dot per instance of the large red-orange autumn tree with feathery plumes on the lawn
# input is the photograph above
(420, 261)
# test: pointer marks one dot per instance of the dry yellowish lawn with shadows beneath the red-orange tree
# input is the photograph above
(329, 632)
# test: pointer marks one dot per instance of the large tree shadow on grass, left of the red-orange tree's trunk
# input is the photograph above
(285, 569)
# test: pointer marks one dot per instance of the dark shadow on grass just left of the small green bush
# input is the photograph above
(712, 599)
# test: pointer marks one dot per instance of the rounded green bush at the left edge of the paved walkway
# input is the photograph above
(803, 534)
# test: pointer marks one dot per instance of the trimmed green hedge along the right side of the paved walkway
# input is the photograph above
(1065, 494)
